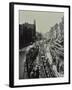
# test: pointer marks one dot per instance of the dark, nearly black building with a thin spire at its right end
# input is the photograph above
(27, 34)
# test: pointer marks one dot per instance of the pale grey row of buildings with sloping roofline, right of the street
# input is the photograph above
(57, 31)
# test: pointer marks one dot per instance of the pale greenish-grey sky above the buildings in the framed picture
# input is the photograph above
(44, 19)
